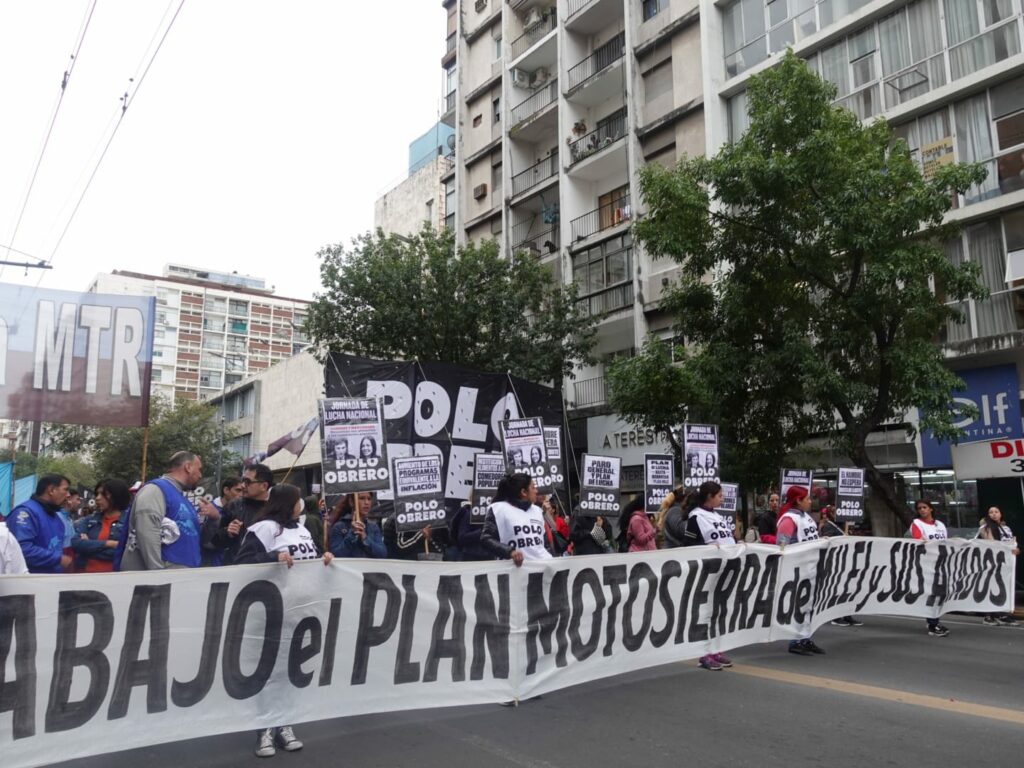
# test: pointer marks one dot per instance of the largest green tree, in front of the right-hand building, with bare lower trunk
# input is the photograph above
(808, 252)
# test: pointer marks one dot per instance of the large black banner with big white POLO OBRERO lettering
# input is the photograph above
(437, 408)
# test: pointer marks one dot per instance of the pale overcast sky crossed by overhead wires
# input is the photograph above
(264, 131)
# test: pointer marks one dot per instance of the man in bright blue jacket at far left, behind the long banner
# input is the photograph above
(38, 528)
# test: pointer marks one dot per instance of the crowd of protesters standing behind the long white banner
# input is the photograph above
(157, 526)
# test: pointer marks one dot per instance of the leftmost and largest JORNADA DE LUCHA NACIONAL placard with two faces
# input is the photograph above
(354, 450)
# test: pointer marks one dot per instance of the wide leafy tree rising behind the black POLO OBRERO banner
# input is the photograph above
(393, 297)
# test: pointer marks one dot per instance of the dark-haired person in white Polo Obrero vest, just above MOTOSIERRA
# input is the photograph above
(514, 529)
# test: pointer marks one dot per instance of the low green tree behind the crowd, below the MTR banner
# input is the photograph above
(117, 452)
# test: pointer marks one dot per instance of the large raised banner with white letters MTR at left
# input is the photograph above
(75, 358)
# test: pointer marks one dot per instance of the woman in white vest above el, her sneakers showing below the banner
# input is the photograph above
(277, 537)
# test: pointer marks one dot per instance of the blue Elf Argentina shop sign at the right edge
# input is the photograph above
(996, 394)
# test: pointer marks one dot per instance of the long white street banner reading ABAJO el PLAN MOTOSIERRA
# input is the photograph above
(92, 664)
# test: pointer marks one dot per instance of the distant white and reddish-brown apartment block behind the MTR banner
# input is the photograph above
(214, 329)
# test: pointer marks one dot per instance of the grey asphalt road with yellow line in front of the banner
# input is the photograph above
(885, 695)
